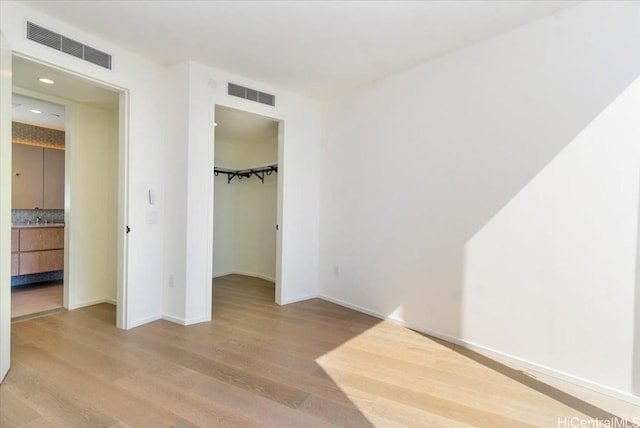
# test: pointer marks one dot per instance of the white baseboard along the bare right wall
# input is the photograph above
(522, 363)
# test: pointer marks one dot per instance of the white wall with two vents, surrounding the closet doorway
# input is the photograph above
(176, 151)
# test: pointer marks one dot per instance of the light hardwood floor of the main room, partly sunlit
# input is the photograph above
(308, 364)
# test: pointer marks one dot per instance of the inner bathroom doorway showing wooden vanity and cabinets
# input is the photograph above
(37, 207)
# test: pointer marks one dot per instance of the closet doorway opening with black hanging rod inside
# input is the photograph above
(245, 200)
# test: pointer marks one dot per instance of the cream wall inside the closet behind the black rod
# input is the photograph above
(244, 238)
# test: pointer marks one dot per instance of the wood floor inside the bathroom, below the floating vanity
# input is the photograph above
(34, 300)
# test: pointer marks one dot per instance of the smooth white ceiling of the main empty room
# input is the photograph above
(318, 48)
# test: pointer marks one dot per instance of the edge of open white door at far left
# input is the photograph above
(5, 206)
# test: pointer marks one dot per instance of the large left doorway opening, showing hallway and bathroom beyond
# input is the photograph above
(70, 244)
